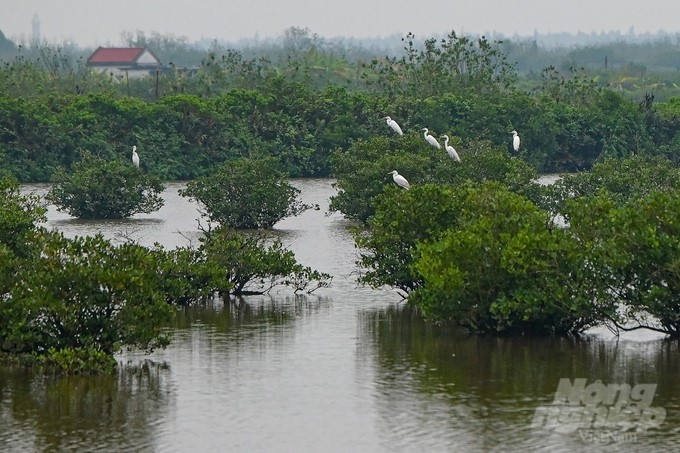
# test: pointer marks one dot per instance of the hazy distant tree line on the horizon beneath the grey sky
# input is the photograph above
(633, 63)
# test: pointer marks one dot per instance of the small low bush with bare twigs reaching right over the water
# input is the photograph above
(248, 264)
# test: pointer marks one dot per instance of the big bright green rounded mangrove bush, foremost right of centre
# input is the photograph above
(505, 268)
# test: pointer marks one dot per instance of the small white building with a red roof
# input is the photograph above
(119, 61)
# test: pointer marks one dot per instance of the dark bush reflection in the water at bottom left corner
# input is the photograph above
(84, 413)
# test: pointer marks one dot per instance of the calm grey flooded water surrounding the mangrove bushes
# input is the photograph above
(345, 369)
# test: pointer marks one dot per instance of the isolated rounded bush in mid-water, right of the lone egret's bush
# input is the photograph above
(246, 193)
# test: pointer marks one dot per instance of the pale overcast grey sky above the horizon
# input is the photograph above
(97, 22)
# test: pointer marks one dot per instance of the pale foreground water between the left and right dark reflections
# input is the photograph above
(264, 374)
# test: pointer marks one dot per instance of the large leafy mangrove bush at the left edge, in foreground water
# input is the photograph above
(73, 303)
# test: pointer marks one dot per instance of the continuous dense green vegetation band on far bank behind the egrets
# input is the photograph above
(231, 107)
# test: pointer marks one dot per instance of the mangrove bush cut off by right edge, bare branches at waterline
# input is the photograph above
(635, 245)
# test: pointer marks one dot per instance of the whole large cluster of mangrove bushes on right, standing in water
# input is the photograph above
(491, 259)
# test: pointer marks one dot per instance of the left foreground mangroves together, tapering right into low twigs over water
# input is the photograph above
(71, 303)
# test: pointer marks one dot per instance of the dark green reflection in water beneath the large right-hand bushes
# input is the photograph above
(477, 392)
